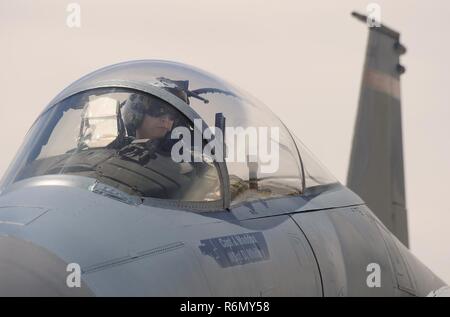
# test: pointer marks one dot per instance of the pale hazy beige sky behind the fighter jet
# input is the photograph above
(303, 59)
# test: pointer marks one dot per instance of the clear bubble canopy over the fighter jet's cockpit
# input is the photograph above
(155, 129)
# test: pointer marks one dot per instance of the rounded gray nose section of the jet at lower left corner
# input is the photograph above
(29, 270)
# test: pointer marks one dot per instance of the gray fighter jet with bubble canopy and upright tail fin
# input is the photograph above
(155, 178)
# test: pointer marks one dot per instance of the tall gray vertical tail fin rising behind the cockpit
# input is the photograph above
(376, 164)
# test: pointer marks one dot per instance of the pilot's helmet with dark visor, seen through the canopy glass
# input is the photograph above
(140, 104)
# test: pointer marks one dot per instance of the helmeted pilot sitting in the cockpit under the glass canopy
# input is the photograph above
(150, 121)
